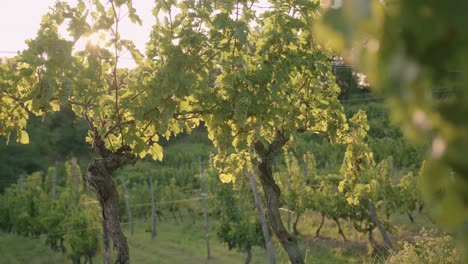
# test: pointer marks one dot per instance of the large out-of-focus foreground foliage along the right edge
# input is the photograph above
(414, 53)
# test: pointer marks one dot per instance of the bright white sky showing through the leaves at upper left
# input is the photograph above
(20, 19)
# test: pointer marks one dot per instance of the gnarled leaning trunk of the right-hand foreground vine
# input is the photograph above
(272, 195)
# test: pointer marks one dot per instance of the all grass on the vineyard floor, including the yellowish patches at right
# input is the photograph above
(178, 242)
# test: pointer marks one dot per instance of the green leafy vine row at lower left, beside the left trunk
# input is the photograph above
(29, 209)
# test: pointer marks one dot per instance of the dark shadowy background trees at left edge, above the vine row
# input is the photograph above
(57, 136)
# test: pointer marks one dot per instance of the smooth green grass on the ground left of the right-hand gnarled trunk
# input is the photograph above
(175, 243)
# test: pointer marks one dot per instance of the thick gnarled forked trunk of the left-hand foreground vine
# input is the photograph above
(99, 179)
